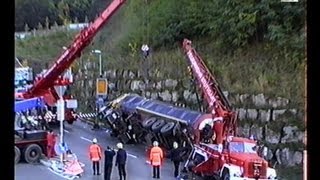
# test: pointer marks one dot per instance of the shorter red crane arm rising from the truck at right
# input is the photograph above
(223, 116)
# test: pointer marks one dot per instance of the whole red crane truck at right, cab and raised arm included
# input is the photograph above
(226, 157)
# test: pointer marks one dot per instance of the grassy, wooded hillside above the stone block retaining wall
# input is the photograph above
(251, 47)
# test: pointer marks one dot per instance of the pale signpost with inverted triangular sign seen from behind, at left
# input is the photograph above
(60, 112)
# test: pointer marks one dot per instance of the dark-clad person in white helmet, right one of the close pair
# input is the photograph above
(121, 160)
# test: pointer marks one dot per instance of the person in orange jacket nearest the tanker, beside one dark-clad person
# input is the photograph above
(156, 157)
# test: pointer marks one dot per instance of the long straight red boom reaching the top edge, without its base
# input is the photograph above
(74, 50)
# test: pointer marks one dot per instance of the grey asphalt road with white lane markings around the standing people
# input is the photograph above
(78, 137)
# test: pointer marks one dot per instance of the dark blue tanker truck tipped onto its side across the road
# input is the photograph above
(138, 119)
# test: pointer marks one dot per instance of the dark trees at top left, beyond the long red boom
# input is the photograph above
(33, 12)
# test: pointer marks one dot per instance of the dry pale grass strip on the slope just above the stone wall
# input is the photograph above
(252, 71)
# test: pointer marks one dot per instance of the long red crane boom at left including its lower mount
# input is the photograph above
(44, 85)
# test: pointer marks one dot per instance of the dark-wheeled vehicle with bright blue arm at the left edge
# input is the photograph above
(30, 143)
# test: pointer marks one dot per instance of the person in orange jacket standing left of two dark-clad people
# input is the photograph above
(95, 156)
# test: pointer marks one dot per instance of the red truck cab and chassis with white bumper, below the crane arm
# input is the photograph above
(238, 160)
